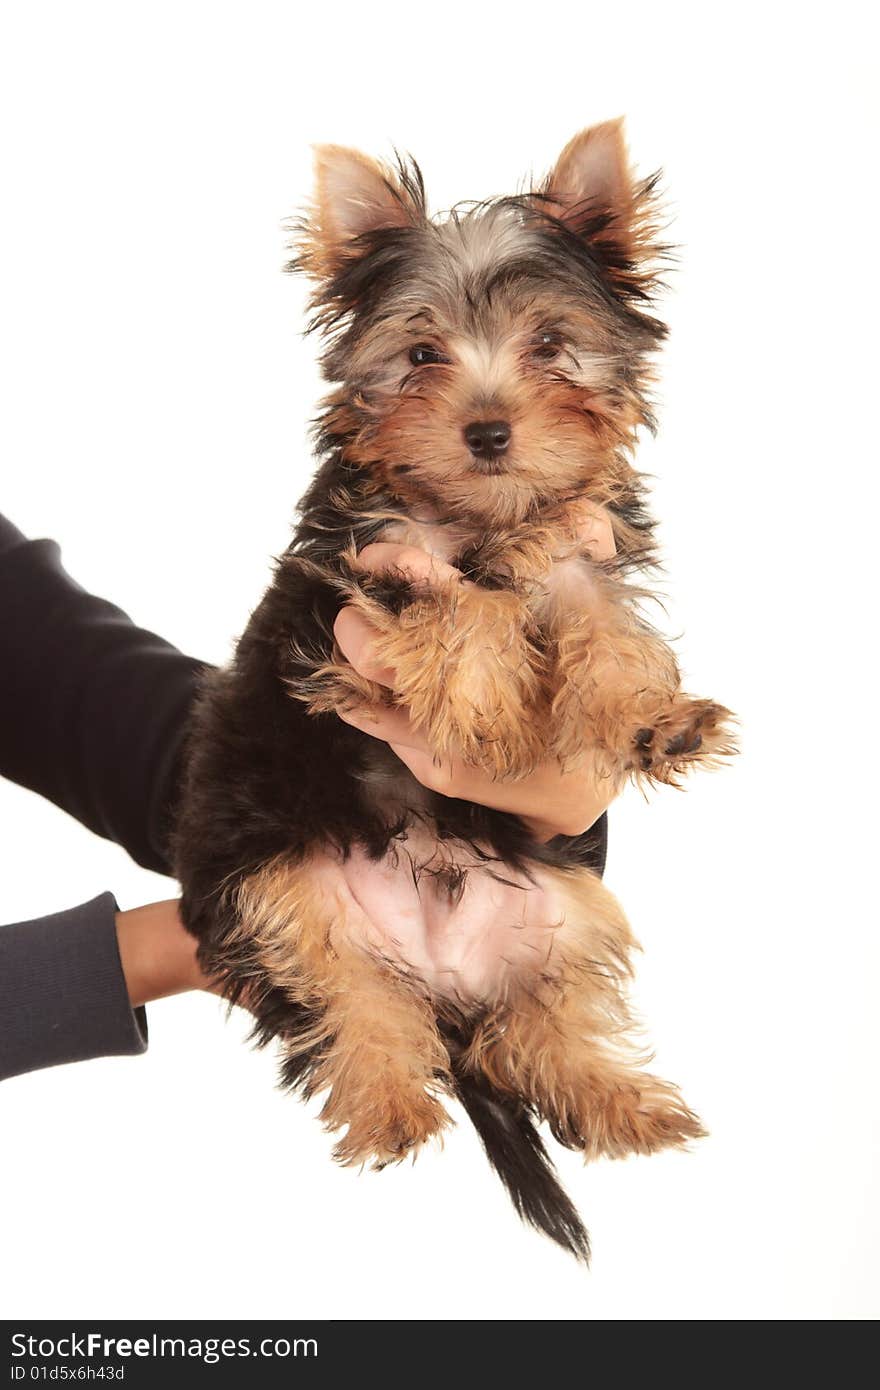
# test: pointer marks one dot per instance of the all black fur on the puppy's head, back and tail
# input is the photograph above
(266, 779)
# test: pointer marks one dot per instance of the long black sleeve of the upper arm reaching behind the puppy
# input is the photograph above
(92, 708)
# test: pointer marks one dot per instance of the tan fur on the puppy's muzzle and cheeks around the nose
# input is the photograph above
(564, 432)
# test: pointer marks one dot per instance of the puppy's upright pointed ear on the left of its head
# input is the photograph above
(355, 197)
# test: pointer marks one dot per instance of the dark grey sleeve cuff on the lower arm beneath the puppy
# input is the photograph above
(63, 995)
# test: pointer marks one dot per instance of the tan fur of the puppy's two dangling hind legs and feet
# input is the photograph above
(561, 1036)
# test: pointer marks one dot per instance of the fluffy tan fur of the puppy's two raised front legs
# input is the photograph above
(547, 668)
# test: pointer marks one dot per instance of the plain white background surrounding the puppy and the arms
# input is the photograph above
(156, 402)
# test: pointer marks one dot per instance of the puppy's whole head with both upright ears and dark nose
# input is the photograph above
(493, 362)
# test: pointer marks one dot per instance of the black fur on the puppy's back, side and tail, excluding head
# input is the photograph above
(268, 779)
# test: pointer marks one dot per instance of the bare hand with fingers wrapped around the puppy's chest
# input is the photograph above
(554, 800)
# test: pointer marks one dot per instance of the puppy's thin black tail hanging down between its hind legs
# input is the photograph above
(516, 1152)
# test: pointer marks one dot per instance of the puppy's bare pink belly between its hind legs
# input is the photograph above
(462, 925)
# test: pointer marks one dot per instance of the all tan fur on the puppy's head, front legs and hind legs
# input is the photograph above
(548, 658)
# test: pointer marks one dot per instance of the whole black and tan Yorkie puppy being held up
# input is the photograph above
(491, 370)
